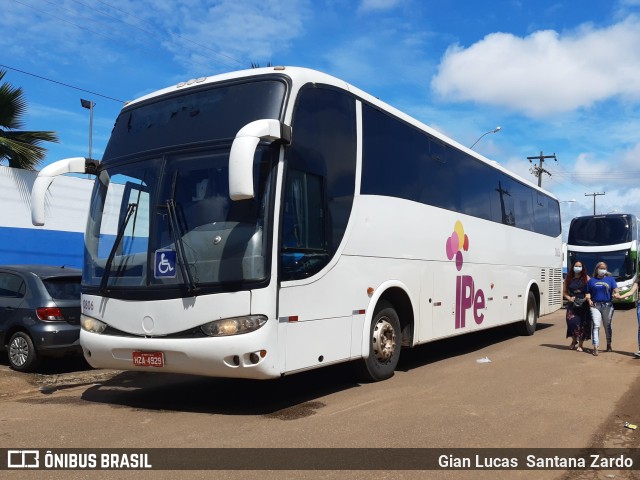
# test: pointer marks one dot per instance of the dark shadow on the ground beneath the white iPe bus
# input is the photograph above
(286, 398)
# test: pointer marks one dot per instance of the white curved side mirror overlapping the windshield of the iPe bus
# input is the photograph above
(243, 150)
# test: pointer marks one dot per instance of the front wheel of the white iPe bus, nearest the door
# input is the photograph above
(385, 342)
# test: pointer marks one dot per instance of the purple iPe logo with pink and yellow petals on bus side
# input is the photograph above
(466, 294)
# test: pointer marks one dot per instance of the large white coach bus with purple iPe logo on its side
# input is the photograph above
(269, 221)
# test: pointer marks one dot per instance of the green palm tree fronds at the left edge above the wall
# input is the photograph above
(20, 148)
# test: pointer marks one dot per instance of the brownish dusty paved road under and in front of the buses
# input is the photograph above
(533, 393)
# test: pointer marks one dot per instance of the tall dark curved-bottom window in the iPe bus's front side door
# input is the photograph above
(319, 180)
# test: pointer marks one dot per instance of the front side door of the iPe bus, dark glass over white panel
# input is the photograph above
(315, 298)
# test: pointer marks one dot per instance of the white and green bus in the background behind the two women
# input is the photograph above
(611, 238)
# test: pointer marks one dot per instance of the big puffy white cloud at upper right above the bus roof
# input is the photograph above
(546, 72)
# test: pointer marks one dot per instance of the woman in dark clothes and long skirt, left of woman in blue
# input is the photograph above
(578, 317)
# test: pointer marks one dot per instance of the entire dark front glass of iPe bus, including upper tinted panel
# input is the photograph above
(161, 216)
